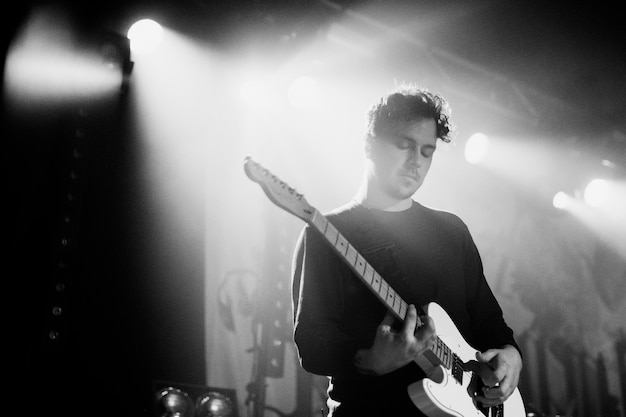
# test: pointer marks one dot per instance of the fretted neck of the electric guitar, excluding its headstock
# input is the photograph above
(375, 282)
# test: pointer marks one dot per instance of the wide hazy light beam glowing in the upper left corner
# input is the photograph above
(47, 66)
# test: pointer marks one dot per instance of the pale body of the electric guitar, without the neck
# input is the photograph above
(440, 394)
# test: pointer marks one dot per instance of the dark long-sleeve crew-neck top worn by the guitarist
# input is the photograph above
(426, 256)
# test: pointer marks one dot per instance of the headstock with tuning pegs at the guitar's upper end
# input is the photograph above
(278, 191)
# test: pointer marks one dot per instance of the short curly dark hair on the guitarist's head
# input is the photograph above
(407, 103)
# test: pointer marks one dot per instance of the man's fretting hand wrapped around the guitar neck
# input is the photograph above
(393, 350)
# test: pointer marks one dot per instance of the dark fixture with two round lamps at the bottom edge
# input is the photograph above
(187, 400)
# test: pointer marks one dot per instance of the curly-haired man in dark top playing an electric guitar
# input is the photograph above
(342, 330)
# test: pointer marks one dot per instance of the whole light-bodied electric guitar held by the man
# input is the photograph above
(448, 389)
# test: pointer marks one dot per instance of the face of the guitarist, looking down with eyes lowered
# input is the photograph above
(402, 158)
